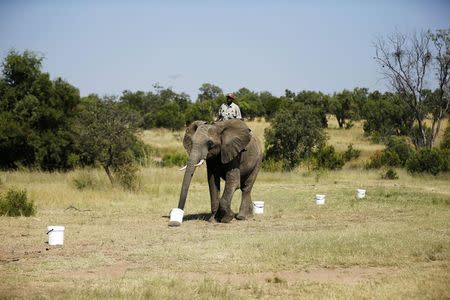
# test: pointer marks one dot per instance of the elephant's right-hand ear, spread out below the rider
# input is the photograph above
(235, 136)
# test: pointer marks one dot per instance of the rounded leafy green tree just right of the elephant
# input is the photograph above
(294, 135)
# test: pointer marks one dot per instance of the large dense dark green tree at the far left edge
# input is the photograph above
(35, 115)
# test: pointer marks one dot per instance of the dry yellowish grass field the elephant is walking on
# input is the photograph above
(395, 243)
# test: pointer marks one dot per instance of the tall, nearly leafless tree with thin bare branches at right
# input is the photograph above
(406, 62)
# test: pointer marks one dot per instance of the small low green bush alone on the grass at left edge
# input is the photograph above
(15, 203)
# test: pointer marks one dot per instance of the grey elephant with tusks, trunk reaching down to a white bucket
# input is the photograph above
(231, 153)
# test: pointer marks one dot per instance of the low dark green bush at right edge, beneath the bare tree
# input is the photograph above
(431, 161)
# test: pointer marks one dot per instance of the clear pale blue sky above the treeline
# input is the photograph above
(106, 47)
